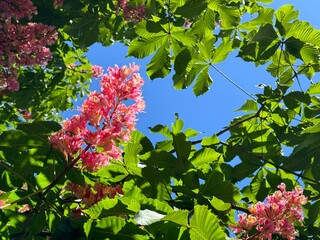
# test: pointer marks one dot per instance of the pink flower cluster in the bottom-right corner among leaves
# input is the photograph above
(277, 216)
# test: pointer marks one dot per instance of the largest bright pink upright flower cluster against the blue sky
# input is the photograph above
(105, 119)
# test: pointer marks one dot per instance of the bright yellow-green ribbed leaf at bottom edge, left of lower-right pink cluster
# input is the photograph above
(205, 225)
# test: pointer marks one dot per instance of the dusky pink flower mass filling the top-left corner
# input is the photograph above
(21, 44)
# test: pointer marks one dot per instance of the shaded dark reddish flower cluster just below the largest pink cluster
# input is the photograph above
(89, 196)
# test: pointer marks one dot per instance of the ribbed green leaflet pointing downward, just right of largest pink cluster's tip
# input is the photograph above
(160, 64)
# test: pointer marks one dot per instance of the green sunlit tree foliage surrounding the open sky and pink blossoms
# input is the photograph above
(178, 188)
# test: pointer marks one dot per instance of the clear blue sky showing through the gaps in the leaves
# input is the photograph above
(212, 111)
